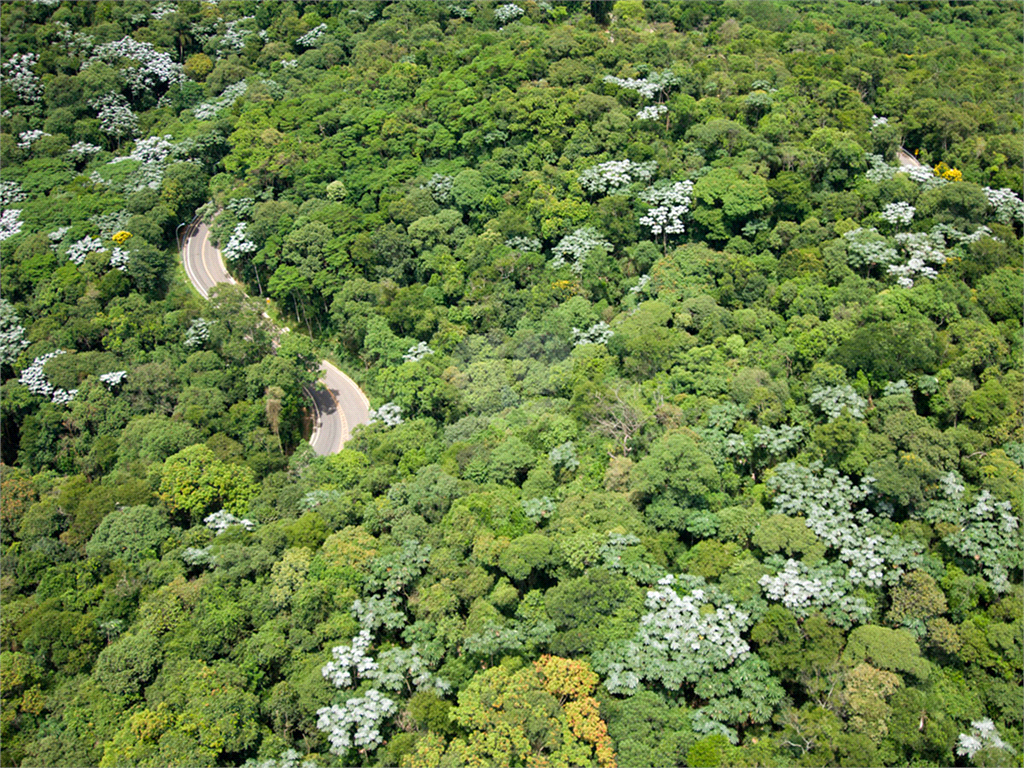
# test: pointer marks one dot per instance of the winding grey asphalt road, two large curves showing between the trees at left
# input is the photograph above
(339, 405)
